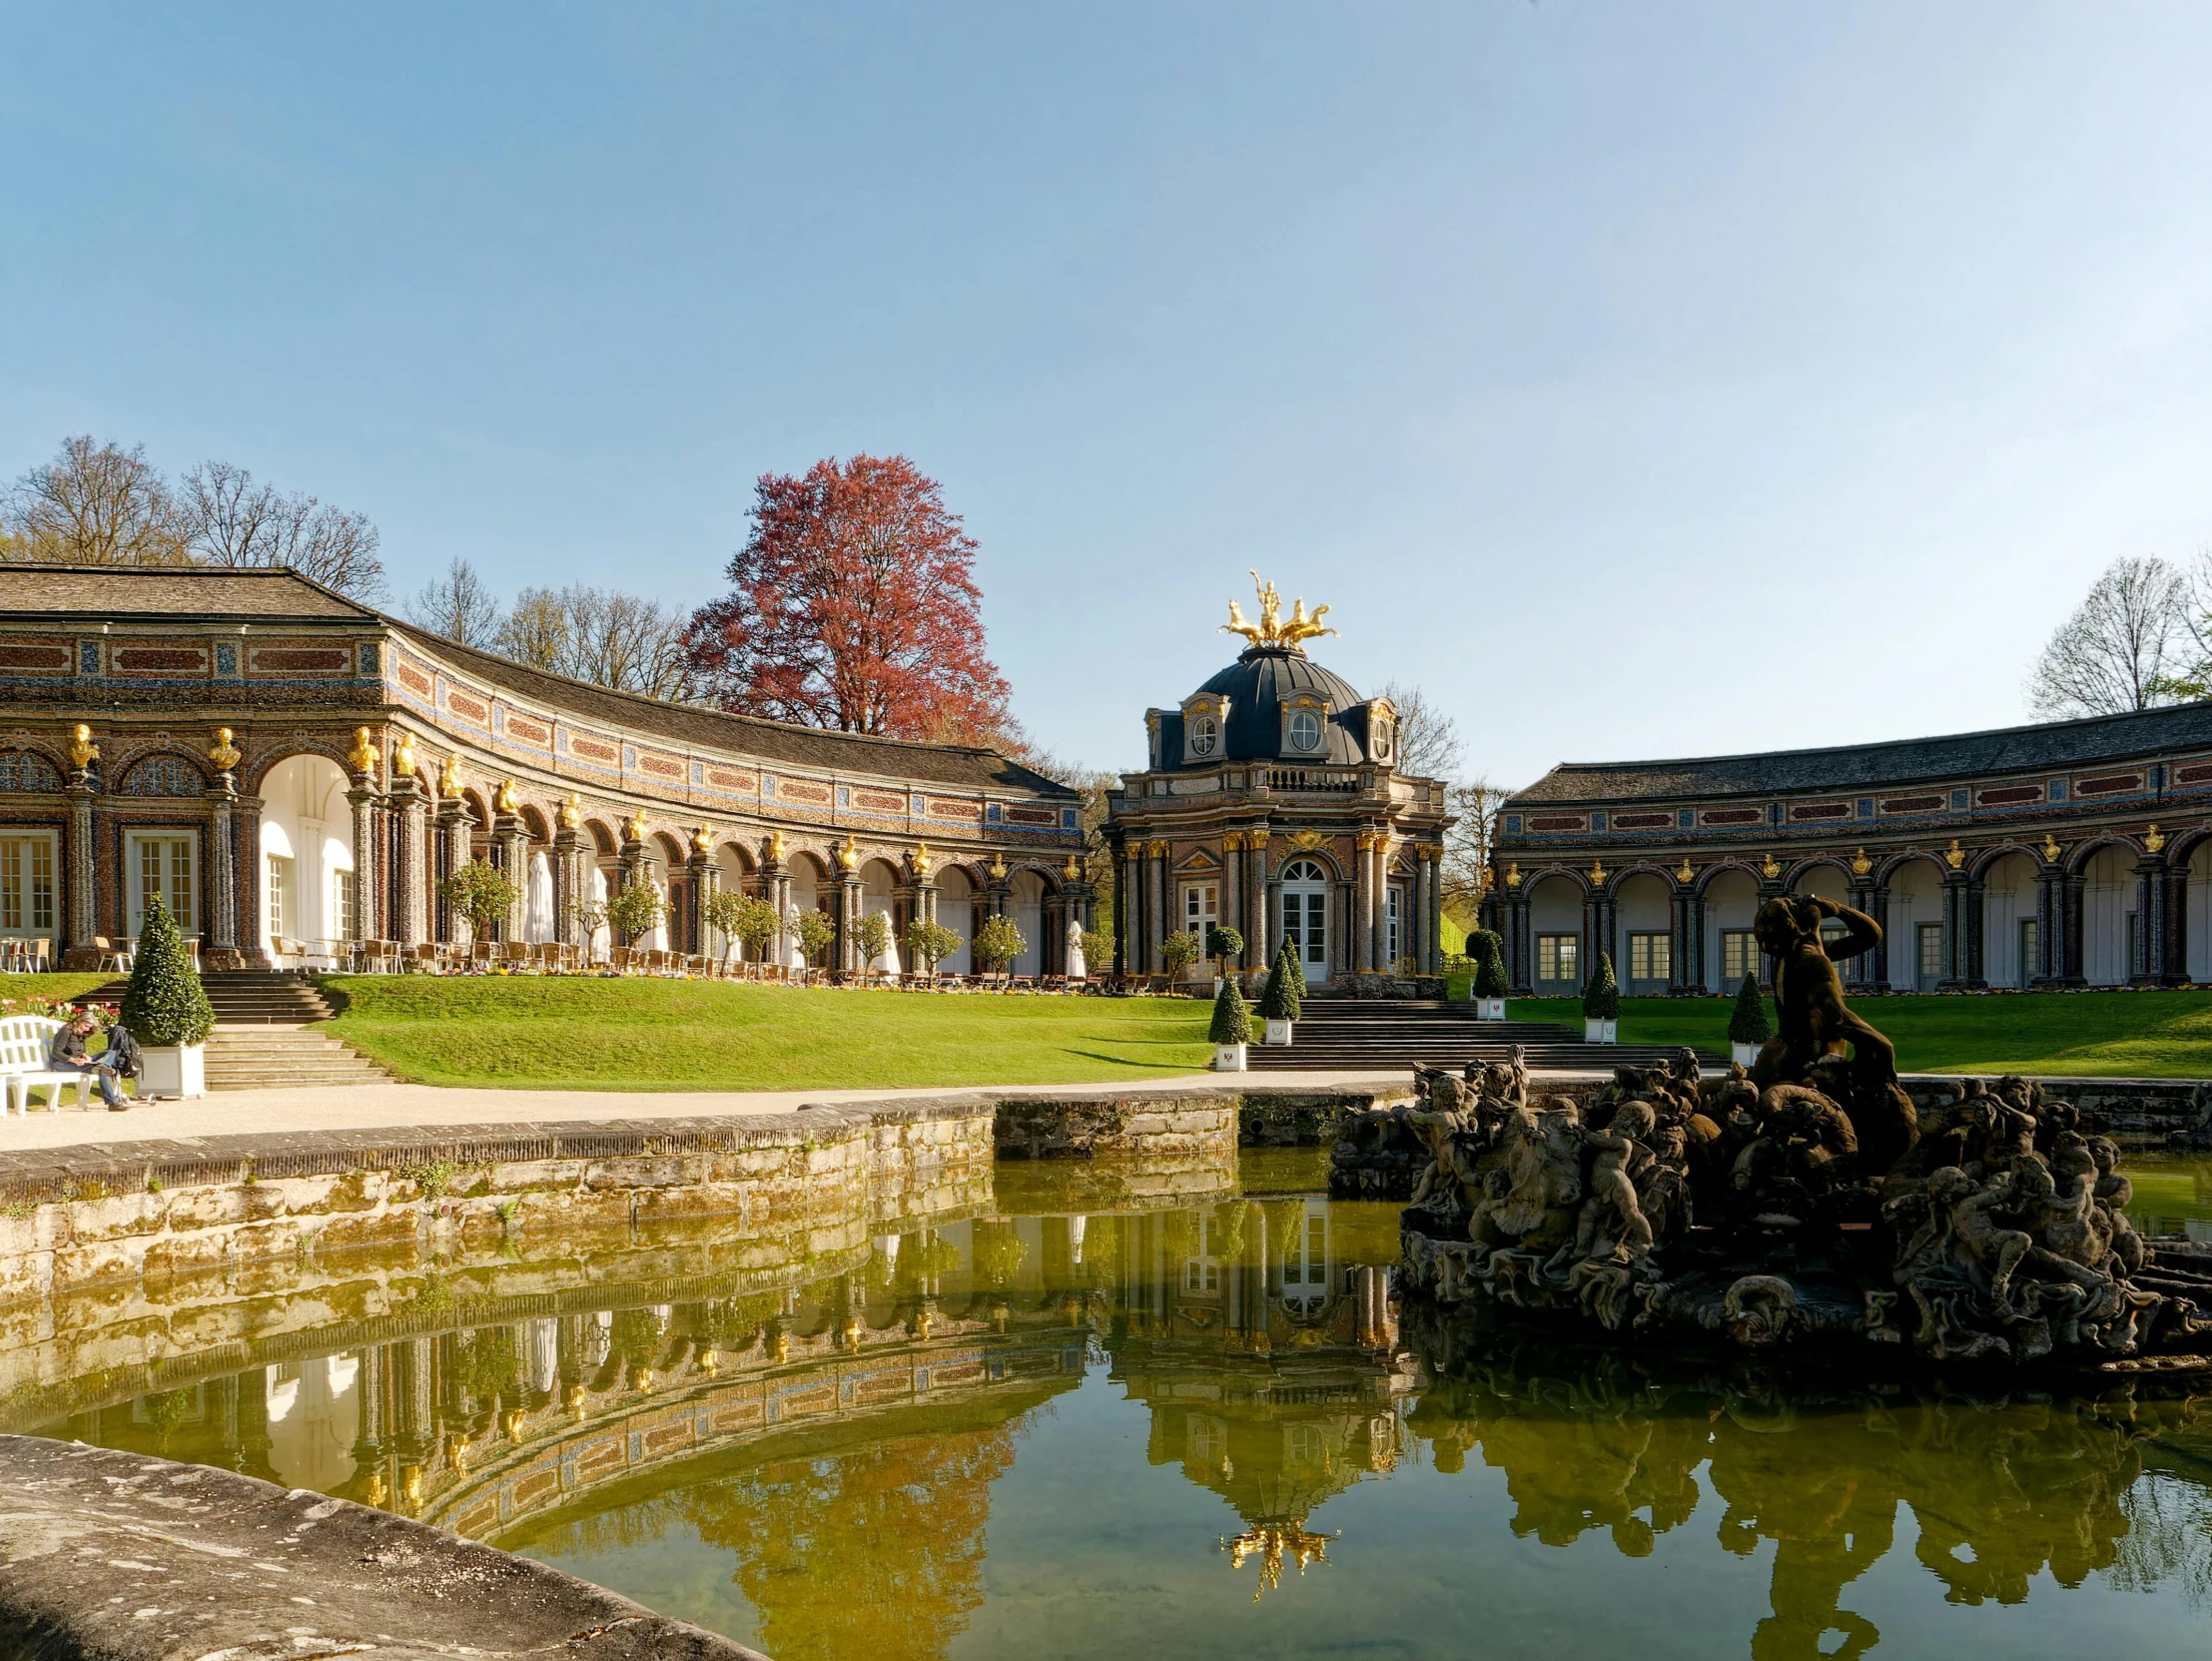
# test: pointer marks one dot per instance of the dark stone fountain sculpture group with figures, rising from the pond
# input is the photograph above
(1799, 1202)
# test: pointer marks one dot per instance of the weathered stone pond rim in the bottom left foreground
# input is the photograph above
(127, 1558)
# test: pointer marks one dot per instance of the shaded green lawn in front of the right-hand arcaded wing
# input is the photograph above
(2153, 1036)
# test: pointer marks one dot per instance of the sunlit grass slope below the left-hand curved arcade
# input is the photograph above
(700, 1036)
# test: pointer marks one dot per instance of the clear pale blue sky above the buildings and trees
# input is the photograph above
(1600, 364)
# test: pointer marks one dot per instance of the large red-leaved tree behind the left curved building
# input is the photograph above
(853, 607)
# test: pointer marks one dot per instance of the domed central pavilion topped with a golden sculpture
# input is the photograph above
(1273, 804)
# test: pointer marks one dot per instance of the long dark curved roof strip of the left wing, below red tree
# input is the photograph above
(941, 764)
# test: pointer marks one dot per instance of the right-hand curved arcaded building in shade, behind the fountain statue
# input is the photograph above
(2058, 855)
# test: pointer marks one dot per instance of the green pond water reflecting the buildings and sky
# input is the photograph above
(1207, 1430)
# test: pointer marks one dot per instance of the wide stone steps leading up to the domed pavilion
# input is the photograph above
(1386, 1036)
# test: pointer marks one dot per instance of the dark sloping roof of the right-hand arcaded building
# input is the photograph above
(2052, 746)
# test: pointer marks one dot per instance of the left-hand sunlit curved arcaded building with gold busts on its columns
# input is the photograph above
(282, 764)
